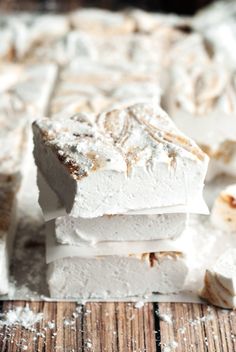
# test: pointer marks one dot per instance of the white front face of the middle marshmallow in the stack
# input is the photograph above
(69, 230)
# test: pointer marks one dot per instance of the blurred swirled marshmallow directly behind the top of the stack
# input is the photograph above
(71, 98)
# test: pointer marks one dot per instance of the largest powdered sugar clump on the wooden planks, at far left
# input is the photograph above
(22, 316)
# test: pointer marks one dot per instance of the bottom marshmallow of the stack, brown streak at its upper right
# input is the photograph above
(117, 276)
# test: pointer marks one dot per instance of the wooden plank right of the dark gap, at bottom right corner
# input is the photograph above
(198, 328)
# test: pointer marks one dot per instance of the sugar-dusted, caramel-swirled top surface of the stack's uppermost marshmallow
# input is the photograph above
(118, 140)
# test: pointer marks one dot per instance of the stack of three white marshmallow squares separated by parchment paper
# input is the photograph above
(115, 189)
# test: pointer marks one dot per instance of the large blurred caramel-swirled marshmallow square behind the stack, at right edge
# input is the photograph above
(202, 94)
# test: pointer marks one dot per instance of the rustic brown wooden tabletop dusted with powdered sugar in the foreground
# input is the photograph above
(122, 327)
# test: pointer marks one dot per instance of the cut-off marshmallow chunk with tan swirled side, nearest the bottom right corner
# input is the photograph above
(220, 281)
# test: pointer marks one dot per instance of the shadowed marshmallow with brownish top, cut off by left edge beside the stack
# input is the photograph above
(8, 188)
